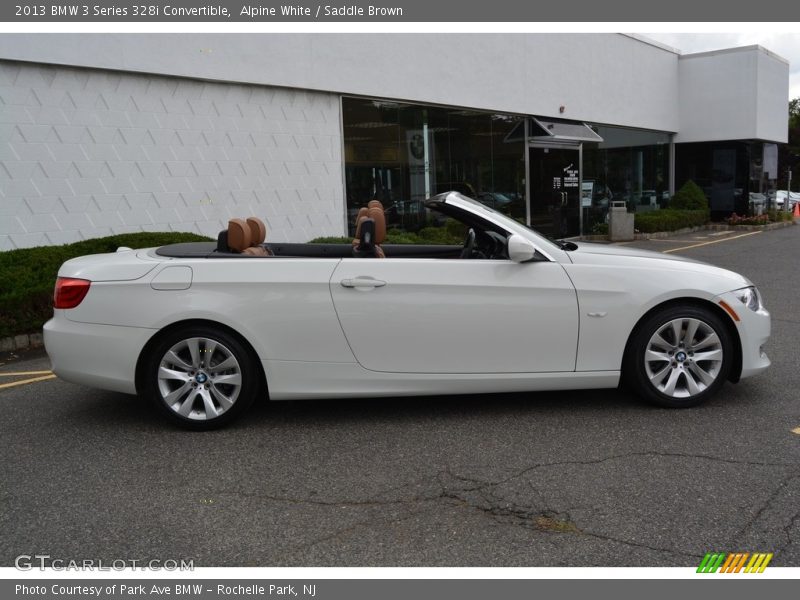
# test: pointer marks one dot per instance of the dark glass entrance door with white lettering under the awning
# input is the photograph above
(555, 192)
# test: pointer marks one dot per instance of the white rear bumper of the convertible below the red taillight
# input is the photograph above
(100, 356)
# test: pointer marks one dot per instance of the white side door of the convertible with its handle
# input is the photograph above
(457, 316)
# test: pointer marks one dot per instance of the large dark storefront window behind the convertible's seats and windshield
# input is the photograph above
(402, 154)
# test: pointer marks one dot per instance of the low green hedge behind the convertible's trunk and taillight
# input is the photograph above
(27, 275)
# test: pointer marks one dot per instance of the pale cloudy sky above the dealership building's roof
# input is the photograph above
(786, 45)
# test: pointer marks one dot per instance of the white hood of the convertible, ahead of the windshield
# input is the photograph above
(588, 253)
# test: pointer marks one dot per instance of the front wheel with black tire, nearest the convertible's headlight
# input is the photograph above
(696, 368)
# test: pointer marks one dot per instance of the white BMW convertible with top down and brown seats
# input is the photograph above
(205, 328)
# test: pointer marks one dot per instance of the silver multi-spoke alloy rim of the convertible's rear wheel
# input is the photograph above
(199, 378)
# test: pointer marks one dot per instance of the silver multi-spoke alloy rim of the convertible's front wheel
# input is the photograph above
(672, 361)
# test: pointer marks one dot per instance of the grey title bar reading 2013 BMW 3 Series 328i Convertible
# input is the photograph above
(399, 11)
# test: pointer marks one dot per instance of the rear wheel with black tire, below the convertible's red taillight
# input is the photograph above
(209, 379)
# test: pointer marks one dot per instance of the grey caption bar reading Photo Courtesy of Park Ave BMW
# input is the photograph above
(373, 589)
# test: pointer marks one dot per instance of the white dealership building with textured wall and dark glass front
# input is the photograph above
(113, 133)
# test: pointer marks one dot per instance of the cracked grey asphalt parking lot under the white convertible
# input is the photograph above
(591, 478)
